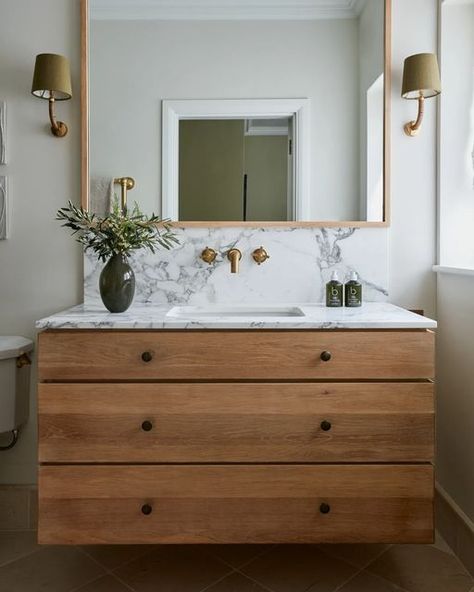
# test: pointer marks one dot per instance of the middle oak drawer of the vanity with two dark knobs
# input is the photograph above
(239, 422)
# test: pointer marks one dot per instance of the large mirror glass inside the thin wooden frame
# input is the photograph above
(242, 168)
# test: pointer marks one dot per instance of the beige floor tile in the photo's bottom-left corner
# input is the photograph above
(52, 569)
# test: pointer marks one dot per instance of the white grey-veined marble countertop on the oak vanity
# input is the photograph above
(371, 315)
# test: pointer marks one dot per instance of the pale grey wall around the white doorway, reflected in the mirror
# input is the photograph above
(239, 59)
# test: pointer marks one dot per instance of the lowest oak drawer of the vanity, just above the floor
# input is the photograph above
(236, 504)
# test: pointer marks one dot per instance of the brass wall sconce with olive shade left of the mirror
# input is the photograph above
(52, 81)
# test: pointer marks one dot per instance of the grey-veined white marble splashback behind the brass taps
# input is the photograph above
(300, 264)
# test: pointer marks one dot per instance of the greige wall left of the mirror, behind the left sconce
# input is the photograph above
(40, 266)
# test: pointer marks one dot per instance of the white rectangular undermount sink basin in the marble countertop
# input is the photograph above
(237, 310)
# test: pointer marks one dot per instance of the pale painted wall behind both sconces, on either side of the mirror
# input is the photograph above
(40, 265)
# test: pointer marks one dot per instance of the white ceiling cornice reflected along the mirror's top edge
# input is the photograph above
(224, 9)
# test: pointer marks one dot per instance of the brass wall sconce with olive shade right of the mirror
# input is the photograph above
(421, 81)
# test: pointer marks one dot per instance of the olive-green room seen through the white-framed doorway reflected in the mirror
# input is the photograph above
(234, 169)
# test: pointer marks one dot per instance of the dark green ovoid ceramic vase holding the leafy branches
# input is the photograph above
(117, 284)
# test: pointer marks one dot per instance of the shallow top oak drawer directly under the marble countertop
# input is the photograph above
(235, 355)
